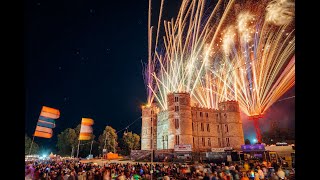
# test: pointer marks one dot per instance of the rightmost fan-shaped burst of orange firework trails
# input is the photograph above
(270, 72)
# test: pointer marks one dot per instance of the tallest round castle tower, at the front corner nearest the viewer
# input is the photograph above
(179, 119)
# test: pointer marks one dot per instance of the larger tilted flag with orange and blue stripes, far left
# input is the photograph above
(46, 122)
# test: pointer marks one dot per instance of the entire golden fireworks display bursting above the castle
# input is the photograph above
(245, 54)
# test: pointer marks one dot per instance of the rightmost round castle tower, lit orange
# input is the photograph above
(232, 131)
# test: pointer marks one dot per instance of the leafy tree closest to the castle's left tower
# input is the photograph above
(130, 141)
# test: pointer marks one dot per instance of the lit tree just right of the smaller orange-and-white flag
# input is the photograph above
(108, 139)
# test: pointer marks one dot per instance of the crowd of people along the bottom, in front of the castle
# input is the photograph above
(72, 169)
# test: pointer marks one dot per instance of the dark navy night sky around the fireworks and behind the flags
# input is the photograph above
(85, 59)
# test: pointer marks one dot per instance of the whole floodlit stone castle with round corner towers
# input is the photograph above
(182, 123)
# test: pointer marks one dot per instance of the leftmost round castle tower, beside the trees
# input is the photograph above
(149, 116)
